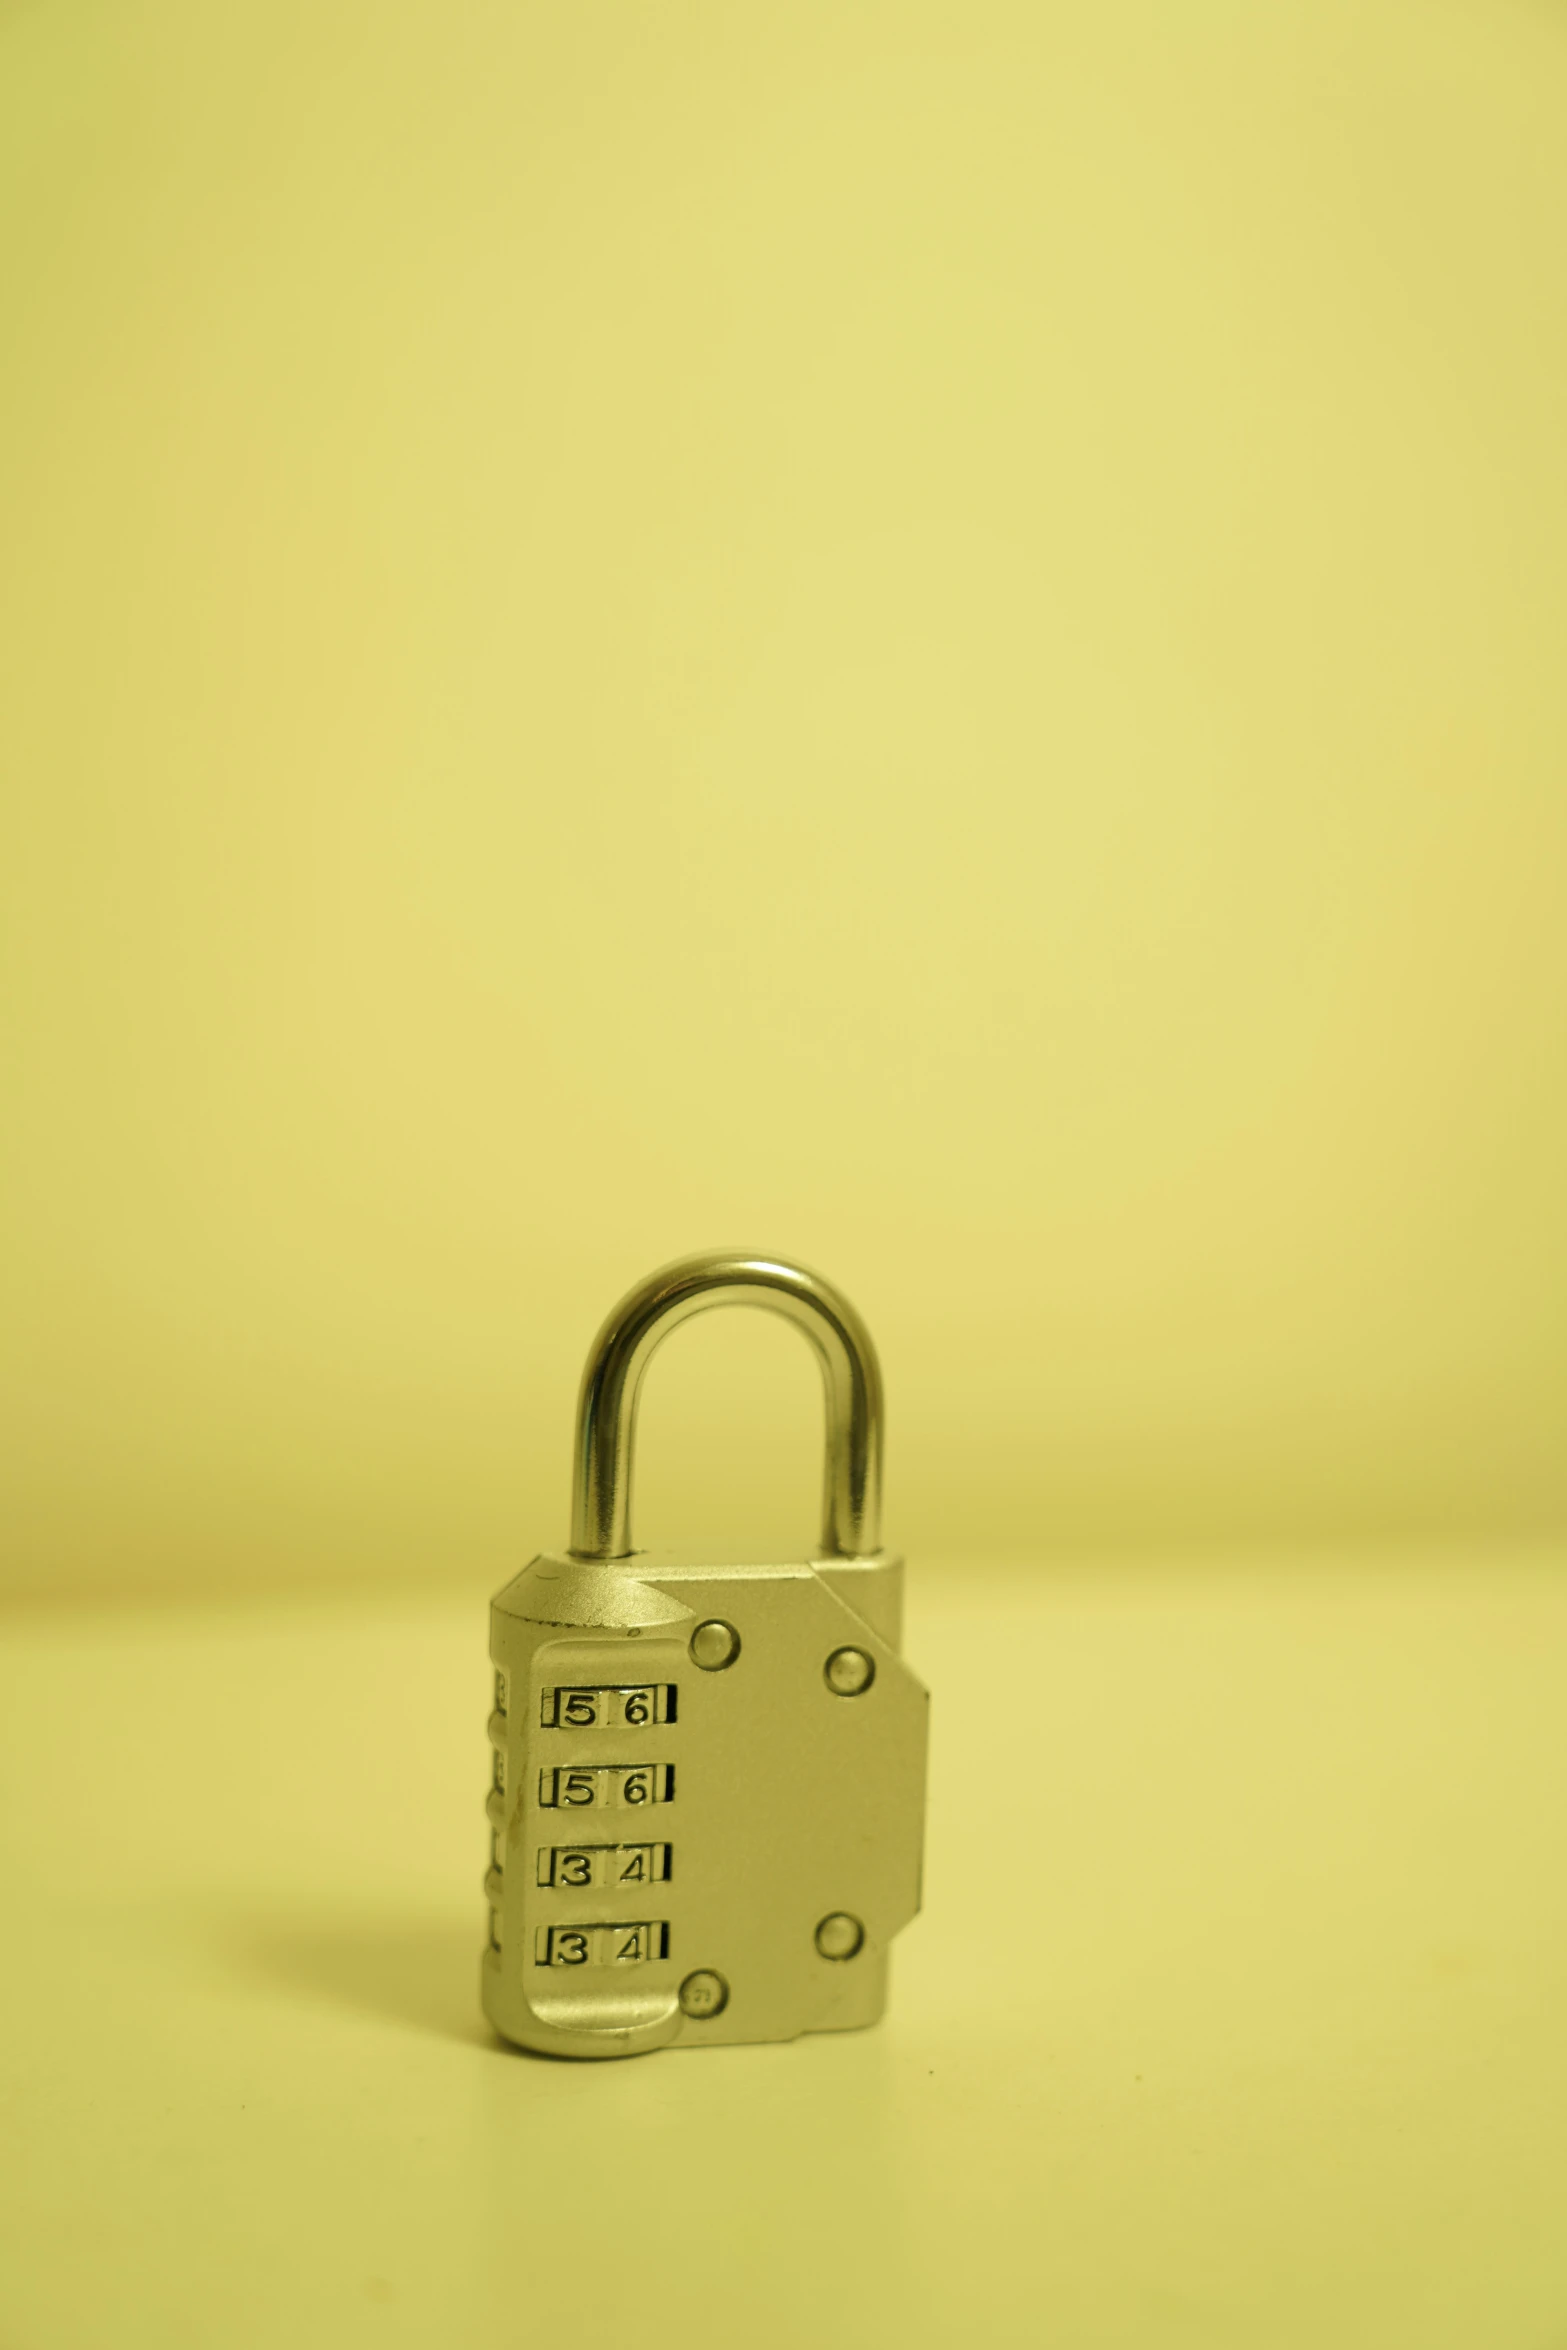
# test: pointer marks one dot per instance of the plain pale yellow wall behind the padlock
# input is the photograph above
(927, 636)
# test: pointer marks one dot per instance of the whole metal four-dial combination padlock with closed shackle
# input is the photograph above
(708, 1775)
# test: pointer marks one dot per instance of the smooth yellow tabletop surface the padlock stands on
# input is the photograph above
(1237, 2017)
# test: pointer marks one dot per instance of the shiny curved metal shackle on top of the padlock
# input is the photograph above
(612, 1385)
